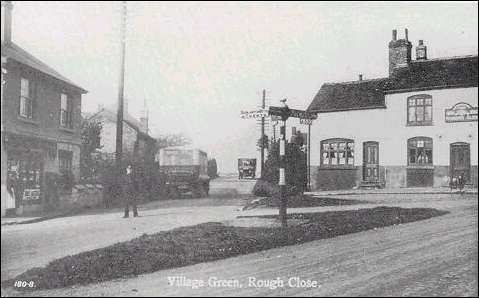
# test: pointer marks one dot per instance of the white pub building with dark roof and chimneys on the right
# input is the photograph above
(415, 128)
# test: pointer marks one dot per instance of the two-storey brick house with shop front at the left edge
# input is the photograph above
(41, 118)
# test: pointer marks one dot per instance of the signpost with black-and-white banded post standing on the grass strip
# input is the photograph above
(284, 113)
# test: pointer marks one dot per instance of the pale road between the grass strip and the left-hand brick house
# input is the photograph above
(33, 245)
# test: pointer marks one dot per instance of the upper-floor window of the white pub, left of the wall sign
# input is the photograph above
(419, 110)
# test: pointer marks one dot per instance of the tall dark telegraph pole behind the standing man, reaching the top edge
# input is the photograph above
(119, 115)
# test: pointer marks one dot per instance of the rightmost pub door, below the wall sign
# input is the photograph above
(460, 161)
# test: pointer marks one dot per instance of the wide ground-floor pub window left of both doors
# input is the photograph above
(337, 153)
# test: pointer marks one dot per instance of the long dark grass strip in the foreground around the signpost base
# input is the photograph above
(208, 242)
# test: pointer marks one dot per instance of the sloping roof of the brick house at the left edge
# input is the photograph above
(14, 52)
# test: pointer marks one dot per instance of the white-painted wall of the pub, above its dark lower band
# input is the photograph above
(389, 128)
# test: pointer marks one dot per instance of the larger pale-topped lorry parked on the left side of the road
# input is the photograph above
(183, 170)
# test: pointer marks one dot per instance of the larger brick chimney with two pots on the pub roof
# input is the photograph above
(399, 52)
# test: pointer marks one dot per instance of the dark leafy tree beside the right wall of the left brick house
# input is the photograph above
(91, 137)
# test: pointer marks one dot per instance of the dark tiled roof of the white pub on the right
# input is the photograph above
(419, 75)
